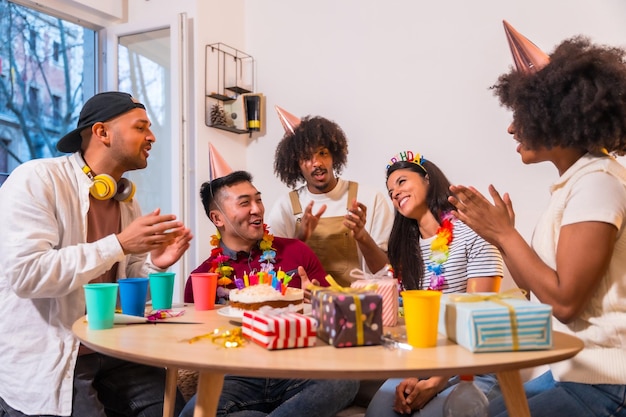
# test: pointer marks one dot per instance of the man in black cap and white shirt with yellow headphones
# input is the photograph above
(69, 221)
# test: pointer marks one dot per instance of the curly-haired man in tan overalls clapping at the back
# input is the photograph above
(346, 224)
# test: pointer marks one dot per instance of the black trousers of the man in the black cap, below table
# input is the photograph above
(110, 387)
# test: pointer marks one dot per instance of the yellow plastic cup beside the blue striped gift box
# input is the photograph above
(421, 316)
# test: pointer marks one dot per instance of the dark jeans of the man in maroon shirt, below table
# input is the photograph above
(256, 397)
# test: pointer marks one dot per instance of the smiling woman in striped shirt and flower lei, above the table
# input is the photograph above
(428, 247)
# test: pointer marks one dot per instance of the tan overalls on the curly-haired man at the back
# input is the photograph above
(331, 240)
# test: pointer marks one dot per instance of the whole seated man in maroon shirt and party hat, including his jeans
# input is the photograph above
(243, 246)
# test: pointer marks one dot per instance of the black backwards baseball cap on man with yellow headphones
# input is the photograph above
(99, 108)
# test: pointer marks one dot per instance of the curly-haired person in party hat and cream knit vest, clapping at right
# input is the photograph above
(569, 109)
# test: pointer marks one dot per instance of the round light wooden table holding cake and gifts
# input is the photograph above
(167, 345)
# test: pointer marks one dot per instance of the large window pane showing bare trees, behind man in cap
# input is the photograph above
(45, 78)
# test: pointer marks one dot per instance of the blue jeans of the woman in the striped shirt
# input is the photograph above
(382, 403)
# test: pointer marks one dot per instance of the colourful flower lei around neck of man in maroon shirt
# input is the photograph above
(221, 263)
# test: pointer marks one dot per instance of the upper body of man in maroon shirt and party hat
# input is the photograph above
(241, 230)
